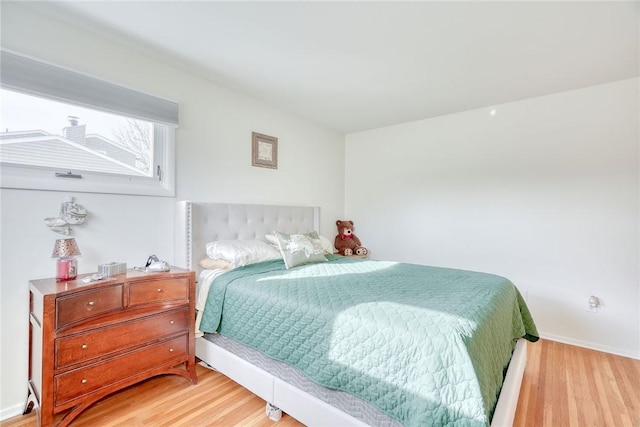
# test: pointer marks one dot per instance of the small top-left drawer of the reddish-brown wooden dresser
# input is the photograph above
(83, 305)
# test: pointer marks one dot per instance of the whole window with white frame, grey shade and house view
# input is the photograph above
(62, 130)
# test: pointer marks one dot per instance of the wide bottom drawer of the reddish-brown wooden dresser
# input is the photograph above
(80, 382)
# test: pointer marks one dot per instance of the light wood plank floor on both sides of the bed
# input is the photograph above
(562, 386)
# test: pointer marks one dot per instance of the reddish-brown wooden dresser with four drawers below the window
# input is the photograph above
(87, 340)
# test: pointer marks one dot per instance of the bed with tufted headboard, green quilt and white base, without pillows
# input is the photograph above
(352, 395)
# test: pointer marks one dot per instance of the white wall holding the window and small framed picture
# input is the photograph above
(213, 164)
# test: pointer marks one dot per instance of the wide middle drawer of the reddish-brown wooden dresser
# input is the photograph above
(79, 348)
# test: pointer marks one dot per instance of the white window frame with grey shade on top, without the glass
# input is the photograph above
(163, 114)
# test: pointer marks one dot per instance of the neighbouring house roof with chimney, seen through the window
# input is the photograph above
(42, 149)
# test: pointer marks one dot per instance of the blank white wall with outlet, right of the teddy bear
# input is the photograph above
(544, 192)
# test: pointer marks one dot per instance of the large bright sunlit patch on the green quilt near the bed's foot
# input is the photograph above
(391, 352)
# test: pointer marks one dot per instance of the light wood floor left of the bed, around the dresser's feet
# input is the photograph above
(173, 401)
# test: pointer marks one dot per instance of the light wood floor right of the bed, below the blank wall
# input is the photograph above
(570, 386)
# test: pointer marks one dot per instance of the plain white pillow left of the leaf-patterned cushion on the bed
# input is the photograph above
(241, 252)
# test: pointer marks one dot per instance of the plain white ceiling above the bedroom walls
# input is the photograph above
(359, 65)
